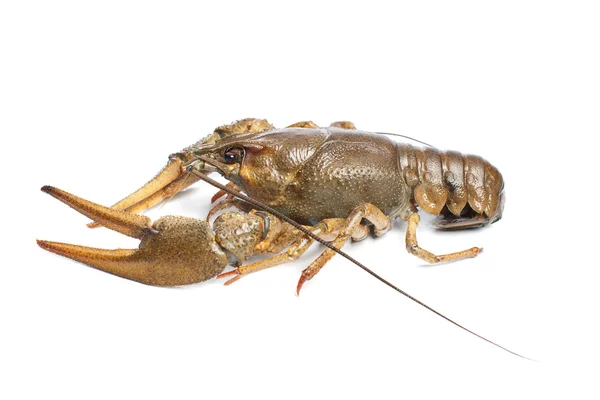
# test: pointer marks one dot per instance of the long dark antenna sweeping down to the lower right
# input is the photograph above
(328, 245)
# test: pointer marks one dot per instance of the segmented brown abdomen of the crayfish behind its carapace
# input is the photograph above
(449, 178)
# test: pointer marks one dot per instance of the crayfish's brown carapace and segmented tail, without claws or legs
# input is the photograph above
(312, 174)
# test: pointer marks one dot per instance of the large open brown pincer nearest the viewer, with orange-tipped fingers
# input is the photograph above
(173, 251)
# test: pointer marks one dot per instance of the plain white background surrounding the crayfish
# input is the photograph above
(95, 96)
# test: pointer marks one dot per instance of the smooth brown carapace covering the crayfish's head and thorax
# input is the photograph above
(312, 174)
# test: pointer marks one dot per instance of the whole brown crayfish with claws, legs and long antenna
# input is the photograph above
(302, 184)
